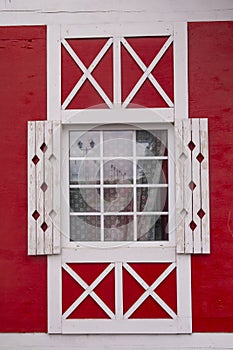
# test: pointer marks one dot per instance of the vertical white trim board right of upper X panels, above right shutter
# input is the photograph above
(180, 70)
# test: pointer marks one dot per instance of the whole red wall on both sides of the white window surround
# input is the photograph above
(23, 306)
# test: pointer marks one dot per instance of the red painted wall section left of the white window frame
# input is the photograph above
(22, 97)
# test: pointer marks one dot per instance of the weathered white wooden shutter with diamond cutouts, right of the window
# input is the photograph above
(192, 186)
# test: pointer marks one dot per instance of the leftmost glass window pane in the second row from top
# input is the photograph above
(84, 172)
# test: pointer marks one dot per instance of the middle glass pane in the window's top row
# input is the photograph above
(118, 143)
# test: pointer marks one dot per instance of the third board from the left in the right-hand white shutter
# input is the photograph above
(197, 184)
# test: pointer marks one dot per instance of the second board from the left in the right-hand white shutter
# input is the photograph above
(187, 191)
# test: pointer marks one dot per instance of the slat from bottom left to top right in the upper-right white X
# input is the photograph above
(147, 72)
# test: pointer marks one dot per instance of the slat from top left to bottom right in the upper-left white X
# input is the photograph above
(89, 76)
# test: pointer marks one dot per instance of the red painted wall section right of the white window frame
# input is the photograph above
(211, 96)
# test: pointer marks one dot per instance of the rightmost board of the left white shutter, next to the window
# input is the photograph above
(56, 186)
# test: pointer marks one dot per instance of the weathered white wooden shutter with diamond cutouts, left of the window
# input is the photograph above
(43, 187)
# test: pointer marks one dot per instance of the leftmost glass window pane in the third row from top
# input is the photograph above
(84, 200)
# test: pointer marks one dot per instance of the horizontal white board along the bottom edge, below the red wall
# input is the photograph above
(42, 341)
